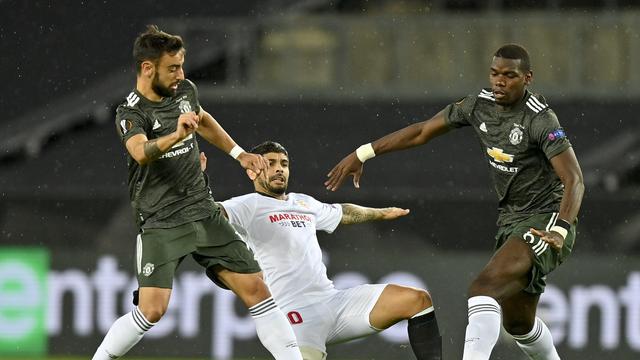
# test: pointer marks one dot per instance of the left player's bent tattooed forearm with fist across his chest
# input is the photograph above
(143, 150)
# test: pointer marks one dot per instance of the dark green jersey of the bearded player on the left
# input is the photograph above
(171, 190)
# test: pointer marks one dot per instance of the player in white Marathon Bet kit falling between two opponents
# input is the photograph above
(281, 227)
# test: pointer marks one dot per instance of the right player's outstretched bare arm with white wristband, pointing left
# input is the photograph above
(410, 136)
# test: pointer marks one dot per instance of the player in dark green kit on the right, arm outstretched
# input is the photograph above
(539, 185)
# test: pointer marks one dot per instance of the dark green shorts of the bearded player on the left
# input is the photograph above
(211, 242)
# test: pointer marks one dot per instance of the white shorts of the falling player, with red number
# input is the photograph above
(340, 317)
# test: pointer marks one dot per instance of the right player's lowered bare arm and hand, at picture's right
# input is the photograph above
(566, 166)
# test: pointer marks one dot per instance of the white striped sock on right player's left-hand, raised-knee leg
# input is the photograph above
(485, 321)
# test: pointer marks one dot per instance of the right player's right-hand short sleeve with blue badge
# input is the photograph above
(547, 133)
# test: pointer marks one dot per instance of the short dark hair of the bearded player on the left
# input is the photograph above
(152, 44)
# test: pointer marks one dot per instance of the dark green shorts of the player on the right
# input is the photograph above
(546, 259)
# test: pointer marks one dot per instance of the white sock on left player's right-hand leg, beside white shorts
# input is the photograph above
(274, 331)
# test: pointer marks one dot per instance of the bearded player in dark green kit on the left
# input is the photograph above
(172, 202)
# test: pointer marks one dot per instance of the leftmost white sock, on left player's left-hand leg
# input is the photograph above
(123, 335)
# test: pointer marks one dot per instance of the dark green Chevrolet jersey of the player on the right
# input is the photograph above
(518, 144)
